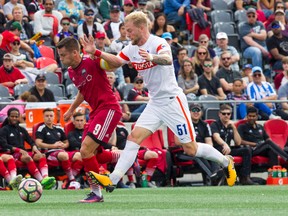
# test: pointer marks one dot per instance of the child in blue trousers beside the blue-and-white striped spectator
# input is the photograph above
(238, 95)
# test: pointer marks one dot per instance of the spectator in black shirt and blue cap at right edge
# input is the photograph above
(277, 44)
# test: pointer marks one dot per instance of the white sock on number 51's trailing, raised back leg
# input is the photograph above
(208, 152)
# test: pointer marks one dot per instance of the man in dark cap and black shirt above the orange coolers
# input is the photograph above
(40, 91)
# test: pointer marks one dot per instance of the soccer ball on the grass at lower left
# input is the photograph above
(30, 190)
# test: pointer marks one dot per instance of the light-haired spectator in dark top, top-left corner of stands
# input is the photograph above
(27, 29)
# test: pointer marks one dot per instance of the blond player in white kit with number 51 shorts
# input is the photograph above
(152, 57)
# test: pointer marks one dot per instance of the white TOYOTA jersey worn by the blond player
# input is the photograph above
(159, 79)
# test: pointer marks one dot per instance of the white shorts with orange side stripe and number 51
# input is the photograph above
(175, 115)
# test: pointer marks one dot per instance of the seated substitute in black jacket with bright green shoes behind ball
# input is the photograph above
(13, 136)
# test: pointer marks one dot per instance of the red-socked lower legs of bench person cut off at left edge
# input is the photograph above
(9, 173)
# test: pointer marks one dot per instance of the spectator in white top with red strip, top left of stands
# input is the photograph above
(47, 21)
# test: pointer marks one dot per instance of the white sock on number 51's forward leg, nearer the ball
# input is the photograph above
(125, 161)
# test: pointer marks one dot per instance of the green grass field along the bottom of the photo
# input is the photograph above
(238, 200)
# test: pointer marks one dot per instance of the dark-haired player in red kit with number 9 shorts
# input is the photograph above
(94, 88)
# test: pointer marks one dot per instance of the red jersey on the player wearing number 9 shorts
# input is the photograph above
(93, 84)
